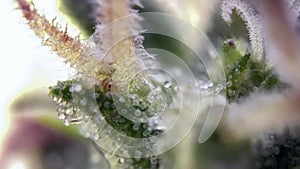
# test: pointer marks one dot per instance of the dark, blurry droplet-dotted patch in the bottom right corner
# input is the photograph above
(278, 150)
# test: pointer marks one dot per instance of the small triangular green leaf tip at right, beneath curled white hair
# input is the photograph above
(245, 75)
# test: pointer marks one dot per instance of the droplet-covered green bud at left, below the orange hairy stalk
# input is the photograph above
(94, 108)
